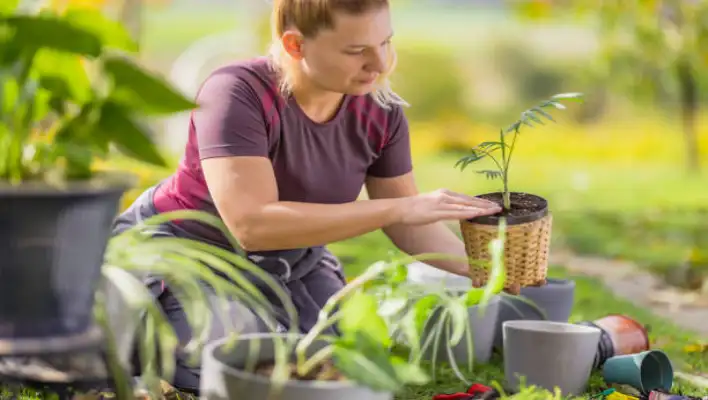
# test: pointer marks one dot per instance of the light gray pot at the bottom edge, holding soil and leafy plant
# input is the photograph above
(223, 376)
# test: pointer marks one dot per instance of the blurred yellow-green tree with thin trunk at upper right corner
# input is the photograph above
(653, 49)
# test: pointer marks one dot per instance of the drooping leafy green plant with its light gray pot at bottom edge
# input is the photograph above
(350, 353)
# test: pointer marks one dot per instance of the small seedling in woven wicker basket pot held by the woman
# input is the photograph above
(529, 219)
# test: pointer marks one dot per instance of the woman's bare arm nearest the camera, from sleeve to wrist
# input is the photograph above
(245, 193)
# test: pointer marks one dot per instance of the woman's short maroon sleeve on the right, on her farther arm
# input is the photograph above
(395, 158)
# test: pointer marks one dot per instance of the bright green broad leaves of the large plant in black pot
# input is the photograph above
(69, 94)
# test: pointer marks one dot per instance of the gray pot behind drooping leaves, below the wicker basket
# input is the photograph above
(482, 321)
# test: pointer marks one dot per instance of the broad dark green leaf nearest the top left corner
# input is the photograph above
(54, 33)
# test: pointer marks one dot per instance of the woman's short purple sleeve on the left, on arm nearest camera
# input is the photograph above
(229, 120)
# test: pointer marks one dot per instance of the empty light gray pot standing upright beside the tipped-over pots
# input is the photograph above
(549, 355)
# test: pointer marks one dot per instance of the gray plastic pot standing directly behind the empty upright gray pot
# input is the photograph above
(552, 302)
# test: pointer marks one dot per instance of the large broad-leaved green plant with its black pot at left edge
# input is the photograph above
(67, 98)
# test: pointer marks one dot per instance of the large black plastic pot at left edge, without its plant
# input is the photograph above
(52, 243)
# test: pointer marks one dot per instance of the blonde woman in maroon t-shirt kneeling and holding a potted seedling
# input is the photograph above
(281, 146)
